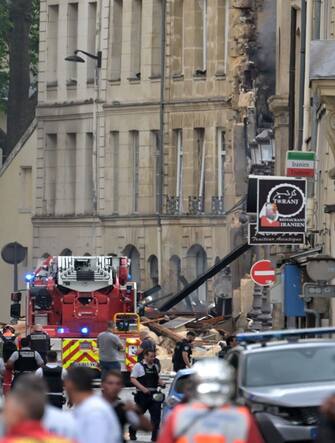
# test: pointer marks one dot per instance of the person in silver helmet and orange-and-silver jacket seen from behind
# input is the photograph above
(210, 417)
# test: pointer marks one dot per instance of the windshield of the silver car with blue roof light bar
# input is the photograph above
(290, 366)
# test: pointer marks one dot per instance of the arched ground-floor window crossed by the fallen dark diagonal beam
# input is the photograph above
(197, 265)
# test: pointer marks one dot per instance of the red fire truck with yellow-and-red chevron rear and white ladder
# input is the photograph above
(73, 298)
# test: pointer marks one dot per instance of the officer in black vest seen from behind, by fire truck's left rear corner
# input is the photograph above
(24, 361)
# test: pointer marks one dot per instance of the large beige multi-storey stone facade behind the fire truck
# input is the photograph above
(133, 162)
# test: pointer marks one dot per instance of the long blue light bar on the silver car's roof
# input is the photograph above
(282, 334)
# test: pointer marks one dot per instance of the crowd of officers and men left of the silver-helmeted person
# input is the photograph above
(38, 375)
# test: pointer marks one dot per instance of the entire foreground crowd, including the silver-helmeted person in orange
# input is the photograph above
(32, 411)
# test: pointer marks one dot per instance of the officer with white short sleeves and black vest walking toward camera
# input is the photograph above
(145, 378)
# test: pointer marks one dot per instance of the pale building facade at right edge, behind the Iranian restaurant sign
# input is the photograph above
(304, 109)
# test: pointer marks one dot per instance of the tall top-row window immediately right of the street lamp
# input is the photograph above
(117, 40)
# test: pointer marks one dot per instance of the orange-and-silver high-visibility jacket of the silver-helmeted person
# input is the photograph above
(196, 423)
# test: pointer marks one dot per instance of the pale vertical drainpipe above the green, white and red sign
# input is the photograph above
(307, 98)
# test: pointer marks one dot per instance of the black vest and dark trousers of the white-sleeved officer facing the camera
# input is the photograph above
(145, 402)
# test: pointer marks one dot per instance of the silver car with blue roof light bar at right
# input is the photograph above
(284, 382)
